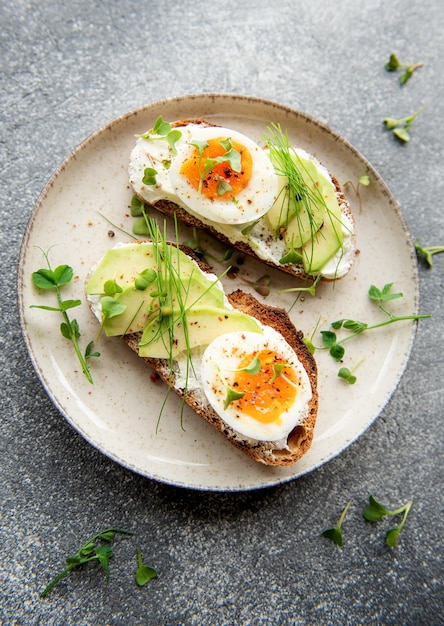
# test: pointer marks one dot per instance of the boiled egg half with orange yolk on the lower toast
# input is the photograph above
(256, 384)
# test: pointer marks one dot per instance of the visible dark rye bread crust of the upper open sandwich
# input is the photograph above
(171, 209)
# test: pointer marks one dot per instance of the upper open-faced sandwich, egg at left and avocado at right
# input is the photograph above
(276, 203)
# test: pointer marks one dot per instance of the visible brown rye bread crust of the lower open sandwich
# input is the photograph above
(300, 438)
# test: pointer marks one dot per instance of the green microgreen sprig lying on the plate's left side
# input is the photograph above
(49, 279)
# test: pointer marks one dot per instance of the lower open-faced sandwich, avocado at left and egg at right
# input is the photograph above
(240, 364)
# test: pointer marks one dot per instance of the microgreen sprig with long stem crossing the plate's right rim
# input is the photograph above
(335, 346)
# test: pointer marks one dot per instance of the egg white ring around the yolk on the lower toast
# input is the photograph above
(223, 355)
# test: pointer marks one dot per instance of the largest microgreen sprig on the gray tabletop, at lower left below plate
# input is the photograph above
(96, 548)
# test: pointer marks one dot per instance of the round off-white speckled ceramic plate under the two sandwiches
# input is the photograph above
(118, 413)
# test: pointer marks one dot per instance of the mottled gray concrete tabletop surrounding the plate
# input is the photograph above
(246, 558)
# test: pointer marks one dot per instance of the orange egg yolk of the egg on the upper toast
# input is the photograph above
(218, 181)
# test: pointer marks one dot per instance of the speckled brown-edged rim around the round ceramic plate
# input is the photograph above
(236, 100)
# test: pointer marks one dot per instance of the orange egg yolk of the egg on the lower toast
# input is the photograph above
(268, 393)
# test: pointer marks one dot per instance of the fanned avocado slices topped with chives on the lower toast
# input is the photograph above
(158, 290)
